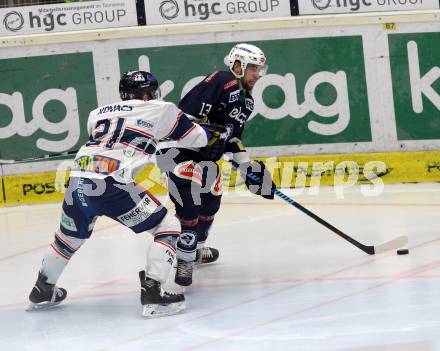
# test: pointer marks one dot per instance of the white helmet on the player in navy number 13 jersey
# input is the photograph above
(246, 54)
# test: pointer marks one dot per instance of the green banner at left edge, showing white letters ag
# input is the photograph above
(44, 103)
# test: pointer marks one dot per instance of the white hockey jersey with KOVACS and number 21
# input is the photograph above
(124, 136)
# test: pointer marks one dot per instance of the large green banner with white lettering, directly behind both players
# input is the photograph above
(301, 100)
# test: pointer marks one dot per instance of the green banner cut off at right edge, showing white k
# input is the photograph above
(415, 72)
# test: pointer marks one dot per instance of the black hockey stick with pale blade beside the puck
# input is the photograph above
(369, 249)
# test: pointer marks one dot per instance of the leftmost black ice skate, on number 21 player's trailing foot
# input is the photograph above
(44, 295)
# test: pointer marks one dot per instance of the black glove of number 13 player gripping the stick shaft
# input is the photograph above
(259, 180)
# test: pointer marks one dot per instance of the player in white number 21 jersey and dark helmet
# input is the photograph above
(123, 136)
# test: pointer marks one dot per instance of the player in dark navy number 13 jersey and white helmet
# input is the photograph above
(224, 98)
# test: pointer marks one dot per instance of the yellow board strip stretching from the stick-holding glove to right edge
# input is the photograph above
(395, 167)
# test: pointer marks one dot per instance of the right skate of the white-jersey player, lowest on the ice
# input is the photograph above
(158, 303)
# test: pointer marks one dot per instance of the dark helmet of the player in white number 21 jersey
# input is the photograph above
(134, 85)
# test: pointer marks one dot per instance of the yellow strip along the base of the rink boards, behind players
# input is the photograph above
(288, 172)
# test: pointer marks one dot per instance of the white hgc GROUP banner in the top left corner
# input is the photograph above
(67, 17)
